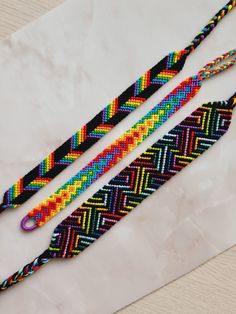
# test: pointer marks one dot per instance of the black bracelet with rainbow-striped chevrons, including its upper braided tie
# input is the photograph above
(105, 120)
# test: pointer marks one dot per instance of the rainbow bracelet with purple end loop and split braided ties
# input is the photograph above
(125, 144)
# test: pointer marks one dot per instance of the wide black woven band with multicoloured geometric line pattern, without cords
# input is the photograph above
(158, 164)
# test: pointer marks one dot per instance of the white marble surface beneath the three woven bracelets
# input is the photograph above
(55, 75)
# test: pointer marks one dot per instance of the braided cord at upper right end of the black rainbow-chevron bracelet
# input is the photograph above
(210, 26)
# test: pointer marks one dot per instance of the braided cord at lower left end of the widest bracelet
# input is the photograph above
(26, 271)
